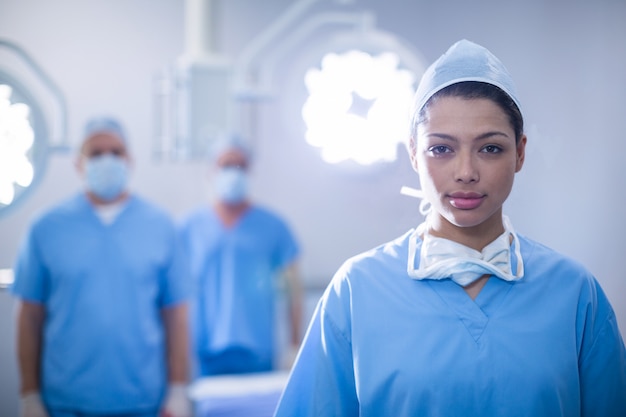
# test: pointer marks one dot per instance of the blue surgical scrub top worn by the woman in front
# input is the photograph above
(383, 344)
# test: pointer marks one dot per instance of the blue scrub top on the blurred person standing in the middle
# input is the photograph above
(235, 273)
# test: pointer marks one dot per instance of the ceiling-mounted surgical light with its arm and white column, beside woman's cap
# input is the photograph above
(359, 96)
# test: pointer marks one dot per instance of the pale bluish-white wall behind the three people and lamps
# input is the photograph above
(567, 57)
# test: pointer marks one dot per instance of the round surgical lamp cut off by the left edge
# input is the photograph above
(24, 134)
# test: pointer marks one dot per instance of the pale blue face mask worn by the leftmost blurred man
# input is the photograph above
(106, 176)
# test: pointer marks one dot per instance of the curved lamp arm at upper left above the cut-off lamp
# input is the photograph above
(60, 142)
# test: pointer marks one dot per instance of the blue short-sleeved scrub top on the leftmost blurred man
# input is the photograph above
(103, 287)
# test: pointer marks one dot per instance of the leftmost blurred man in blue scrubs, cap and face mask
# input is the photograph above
(103, 289)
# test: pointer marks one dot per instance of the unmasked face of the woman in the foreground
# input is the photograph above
(466, 157)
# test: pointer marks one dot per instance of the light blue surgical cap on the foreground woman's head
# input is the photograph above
(464, 61)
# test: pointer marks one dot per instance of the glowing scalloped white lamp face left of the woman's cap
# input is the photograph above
(357, 106)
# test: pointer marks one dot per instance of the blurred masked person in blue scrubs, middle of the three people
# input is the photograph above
(238, 252)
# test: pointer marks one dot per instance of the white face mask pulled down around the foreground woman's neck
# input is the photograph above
(441, 258)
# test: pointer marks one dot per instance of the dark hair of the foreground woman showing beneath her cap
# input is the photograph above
(475, 90)
